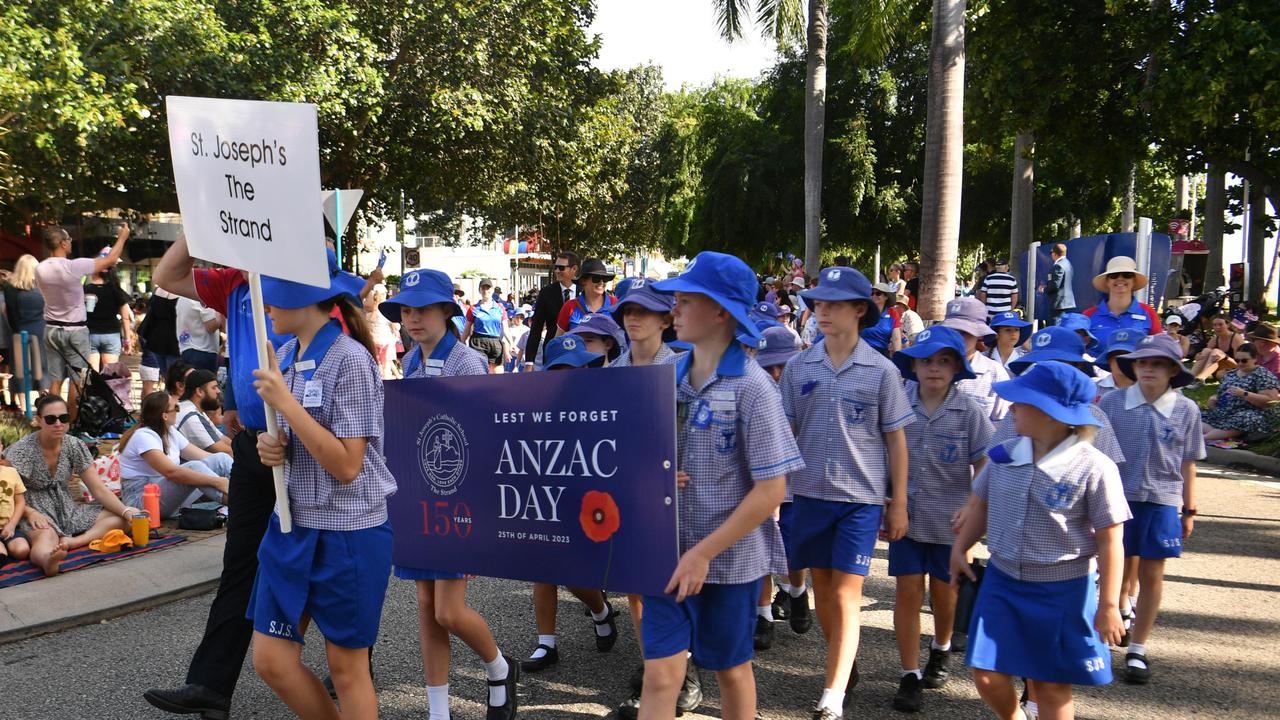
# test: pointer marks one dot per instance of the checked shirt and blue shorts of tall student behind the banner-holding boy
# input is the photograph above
(840, 418)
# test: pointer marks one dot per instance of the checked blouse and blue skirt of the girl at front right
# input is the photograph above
(1034, 617)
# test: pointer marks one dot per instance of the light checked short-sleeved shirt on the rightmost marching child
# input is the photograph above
(1159, 438)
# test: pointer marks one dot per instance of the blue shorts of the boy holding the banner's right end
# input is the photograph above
(717, 626)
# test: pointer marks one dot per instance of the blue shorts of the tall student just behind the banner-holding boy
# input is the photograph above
(838, 536)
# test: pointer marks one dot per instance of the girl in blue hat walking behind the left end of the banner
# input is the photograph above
(426, 309)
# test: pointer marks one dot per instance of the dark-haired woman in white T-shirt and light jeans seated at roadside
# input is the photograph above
(154, 452)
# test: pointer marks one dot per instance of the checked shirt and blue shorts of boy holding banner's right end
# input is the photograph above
(732, 435)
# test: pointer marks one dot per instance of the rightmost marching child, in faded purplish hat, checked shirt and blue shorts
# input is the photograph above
(1162, 434)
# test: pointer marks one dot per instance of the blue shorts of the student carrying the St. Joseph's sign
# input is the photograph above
(339, 578)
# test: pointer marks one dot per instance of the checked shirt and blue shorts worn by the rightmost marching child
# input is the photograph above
(1159, 438)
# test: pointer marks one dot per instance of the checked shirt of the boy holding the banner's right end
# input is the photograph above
(732, 434)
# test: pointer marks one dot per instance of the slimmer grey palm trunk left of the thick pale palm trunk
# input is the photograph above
(815, 120)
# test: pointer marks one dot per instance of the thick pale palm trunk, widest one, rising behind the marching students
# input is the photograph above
(944, 161)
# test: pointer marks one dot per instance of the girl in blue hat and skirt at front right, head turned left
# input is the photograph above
(1050, 503)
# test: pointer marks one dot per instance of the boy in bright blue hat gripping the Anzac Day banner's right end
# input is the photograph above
(737, 450)
